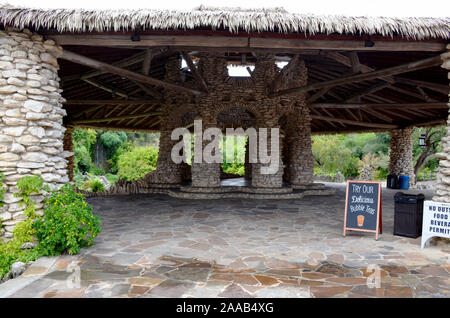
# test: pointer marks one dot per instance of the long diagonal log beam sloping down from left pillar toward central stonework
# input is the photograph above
(83, 60)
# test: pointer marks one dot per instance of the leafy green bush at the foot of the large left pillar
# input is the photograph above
(67, 224)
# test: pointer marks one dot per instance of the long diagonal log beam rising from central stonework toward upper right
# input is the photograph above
(404, 68)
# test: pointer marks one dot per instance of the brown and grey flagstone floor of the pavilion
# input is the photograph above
(157, 246)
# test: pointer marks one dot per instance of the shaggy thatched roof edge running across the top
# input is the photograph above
(231, 19)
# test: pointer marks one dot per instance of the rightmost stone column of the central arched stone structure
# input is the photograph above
(300, 160)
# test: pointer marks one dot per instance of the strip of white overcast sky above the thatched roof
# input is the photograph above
(392, 8)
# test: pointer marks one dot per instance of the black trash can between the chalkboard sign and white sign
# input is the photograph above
(408, 214)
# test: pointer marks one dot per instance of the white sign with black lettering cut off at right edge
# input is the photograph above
(436, 220)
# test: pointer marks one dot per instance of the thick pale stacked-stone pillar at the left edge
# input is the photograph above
(31, 131)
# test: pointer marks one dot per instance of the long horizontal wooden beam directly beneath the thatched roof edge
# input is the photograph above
(123, 40)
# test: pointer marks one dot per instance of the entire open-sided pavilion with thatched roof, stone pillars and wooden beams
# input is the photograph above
(156, 70)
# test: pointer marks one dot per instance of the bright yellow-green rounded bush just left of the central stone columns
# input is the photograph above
(137, 163)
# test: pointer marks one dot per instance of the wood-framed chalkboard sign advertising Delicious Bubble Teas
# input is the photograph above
(363, 207)
